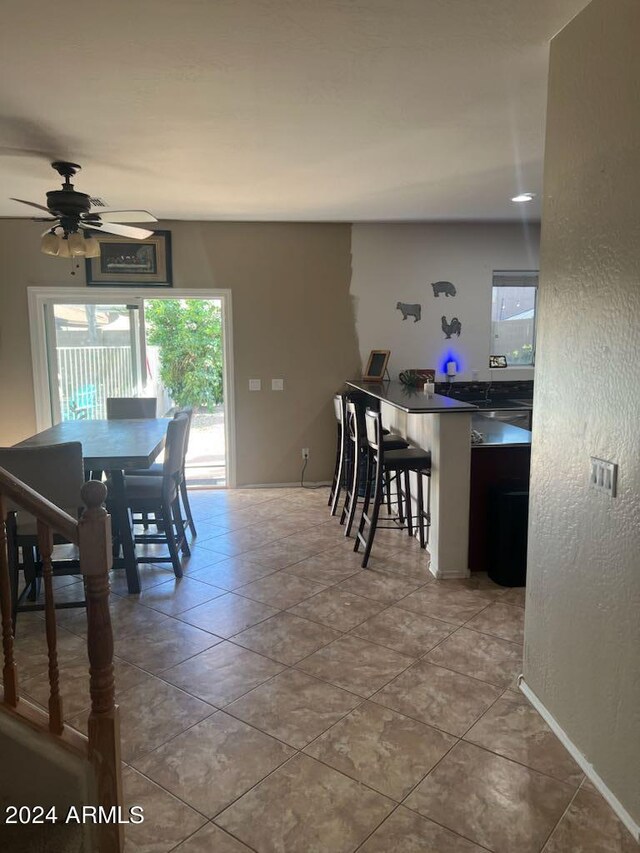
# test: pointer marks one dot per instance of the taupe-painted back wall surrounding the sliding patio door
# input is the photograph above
(292, 315)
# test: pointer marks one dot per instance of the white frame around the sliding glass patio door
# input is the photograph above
(41, 297)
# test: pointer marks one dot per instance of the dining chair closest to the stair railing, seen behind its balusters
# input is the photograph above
(56, 472)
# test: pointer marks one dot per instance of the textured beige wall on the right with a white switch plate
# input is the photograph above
(582, 638)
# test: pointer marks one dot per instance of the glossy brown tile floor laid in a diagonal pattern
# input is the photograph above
(279, 699)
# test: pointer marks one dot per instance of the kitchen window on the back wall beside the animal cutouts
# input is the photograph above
(513, 317)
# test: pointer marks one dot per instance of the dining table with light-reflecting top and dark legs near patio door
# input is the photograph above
(113, 446)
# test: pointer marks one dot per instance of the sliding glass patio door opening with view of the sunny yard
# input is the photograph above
(156, 345)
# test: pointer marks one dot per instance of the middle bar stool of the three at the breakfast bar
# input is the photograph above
(357, 465)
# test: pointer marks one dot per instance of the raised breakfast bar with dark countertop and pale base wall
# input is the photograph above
(441, 425)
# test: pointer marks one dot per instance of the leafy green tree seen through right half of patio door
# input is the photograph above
(188, 334)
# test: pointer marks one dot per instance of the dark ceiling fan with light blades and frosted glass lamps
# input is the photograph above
(71, 212)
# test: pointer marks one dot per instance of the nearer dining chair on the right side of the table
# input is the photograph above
(148, 495)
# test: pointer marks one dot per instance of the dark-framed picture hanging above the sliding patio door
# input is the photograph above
(139, 263)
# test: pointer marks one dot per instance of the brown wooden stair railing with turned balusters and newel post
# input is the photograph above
(92, 535)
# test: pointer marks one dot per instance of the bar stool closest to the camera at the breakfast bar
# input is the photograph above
(401, 463)
